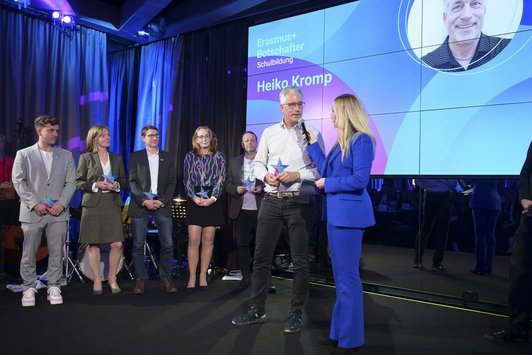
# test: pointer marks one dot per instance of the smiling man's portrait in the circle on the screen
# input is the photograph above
(466, 47)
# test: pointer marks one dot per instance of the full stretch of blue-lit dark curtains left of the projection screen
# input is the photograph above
(175, 84)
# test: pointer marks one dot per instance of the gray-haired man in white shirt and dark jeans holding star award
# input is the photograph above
(283, 164)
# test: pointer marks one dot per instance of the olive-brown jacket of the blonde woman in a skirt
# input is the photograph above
(90, 171)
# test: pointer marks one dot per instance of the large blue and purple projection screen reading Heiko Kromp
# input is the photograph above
(428, 120)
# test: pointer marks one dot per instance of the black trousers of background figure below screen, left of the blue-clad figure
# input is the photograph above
(436, 219)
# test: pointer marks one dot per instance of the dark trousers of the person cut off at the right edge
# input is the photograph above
(520, 296)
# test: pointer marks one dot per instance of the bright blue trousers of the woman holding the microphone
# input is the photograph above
(347, 324)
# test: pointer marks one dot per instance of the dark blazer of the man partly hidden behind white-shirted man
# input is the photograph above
(234, 179)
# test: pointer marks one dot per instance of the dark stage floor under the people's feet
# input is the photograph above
(200, 323)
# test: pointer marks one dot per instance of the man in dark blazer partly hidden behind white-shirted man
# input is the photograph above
(245, 193)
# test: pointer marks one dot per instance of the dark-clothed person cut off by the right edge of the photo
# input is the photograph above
(520, 293)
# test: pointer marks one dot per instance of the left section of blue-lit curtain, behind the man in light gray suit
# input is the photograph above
(42, 71)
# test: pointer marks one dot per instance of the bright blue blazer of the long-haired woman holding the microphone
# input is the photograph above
(347, 201)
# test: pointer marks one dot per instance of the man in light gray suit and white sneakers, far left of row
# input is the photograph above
(44, 177)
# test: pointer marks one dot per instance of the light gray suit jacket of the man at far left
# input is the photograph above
(33, 184)
